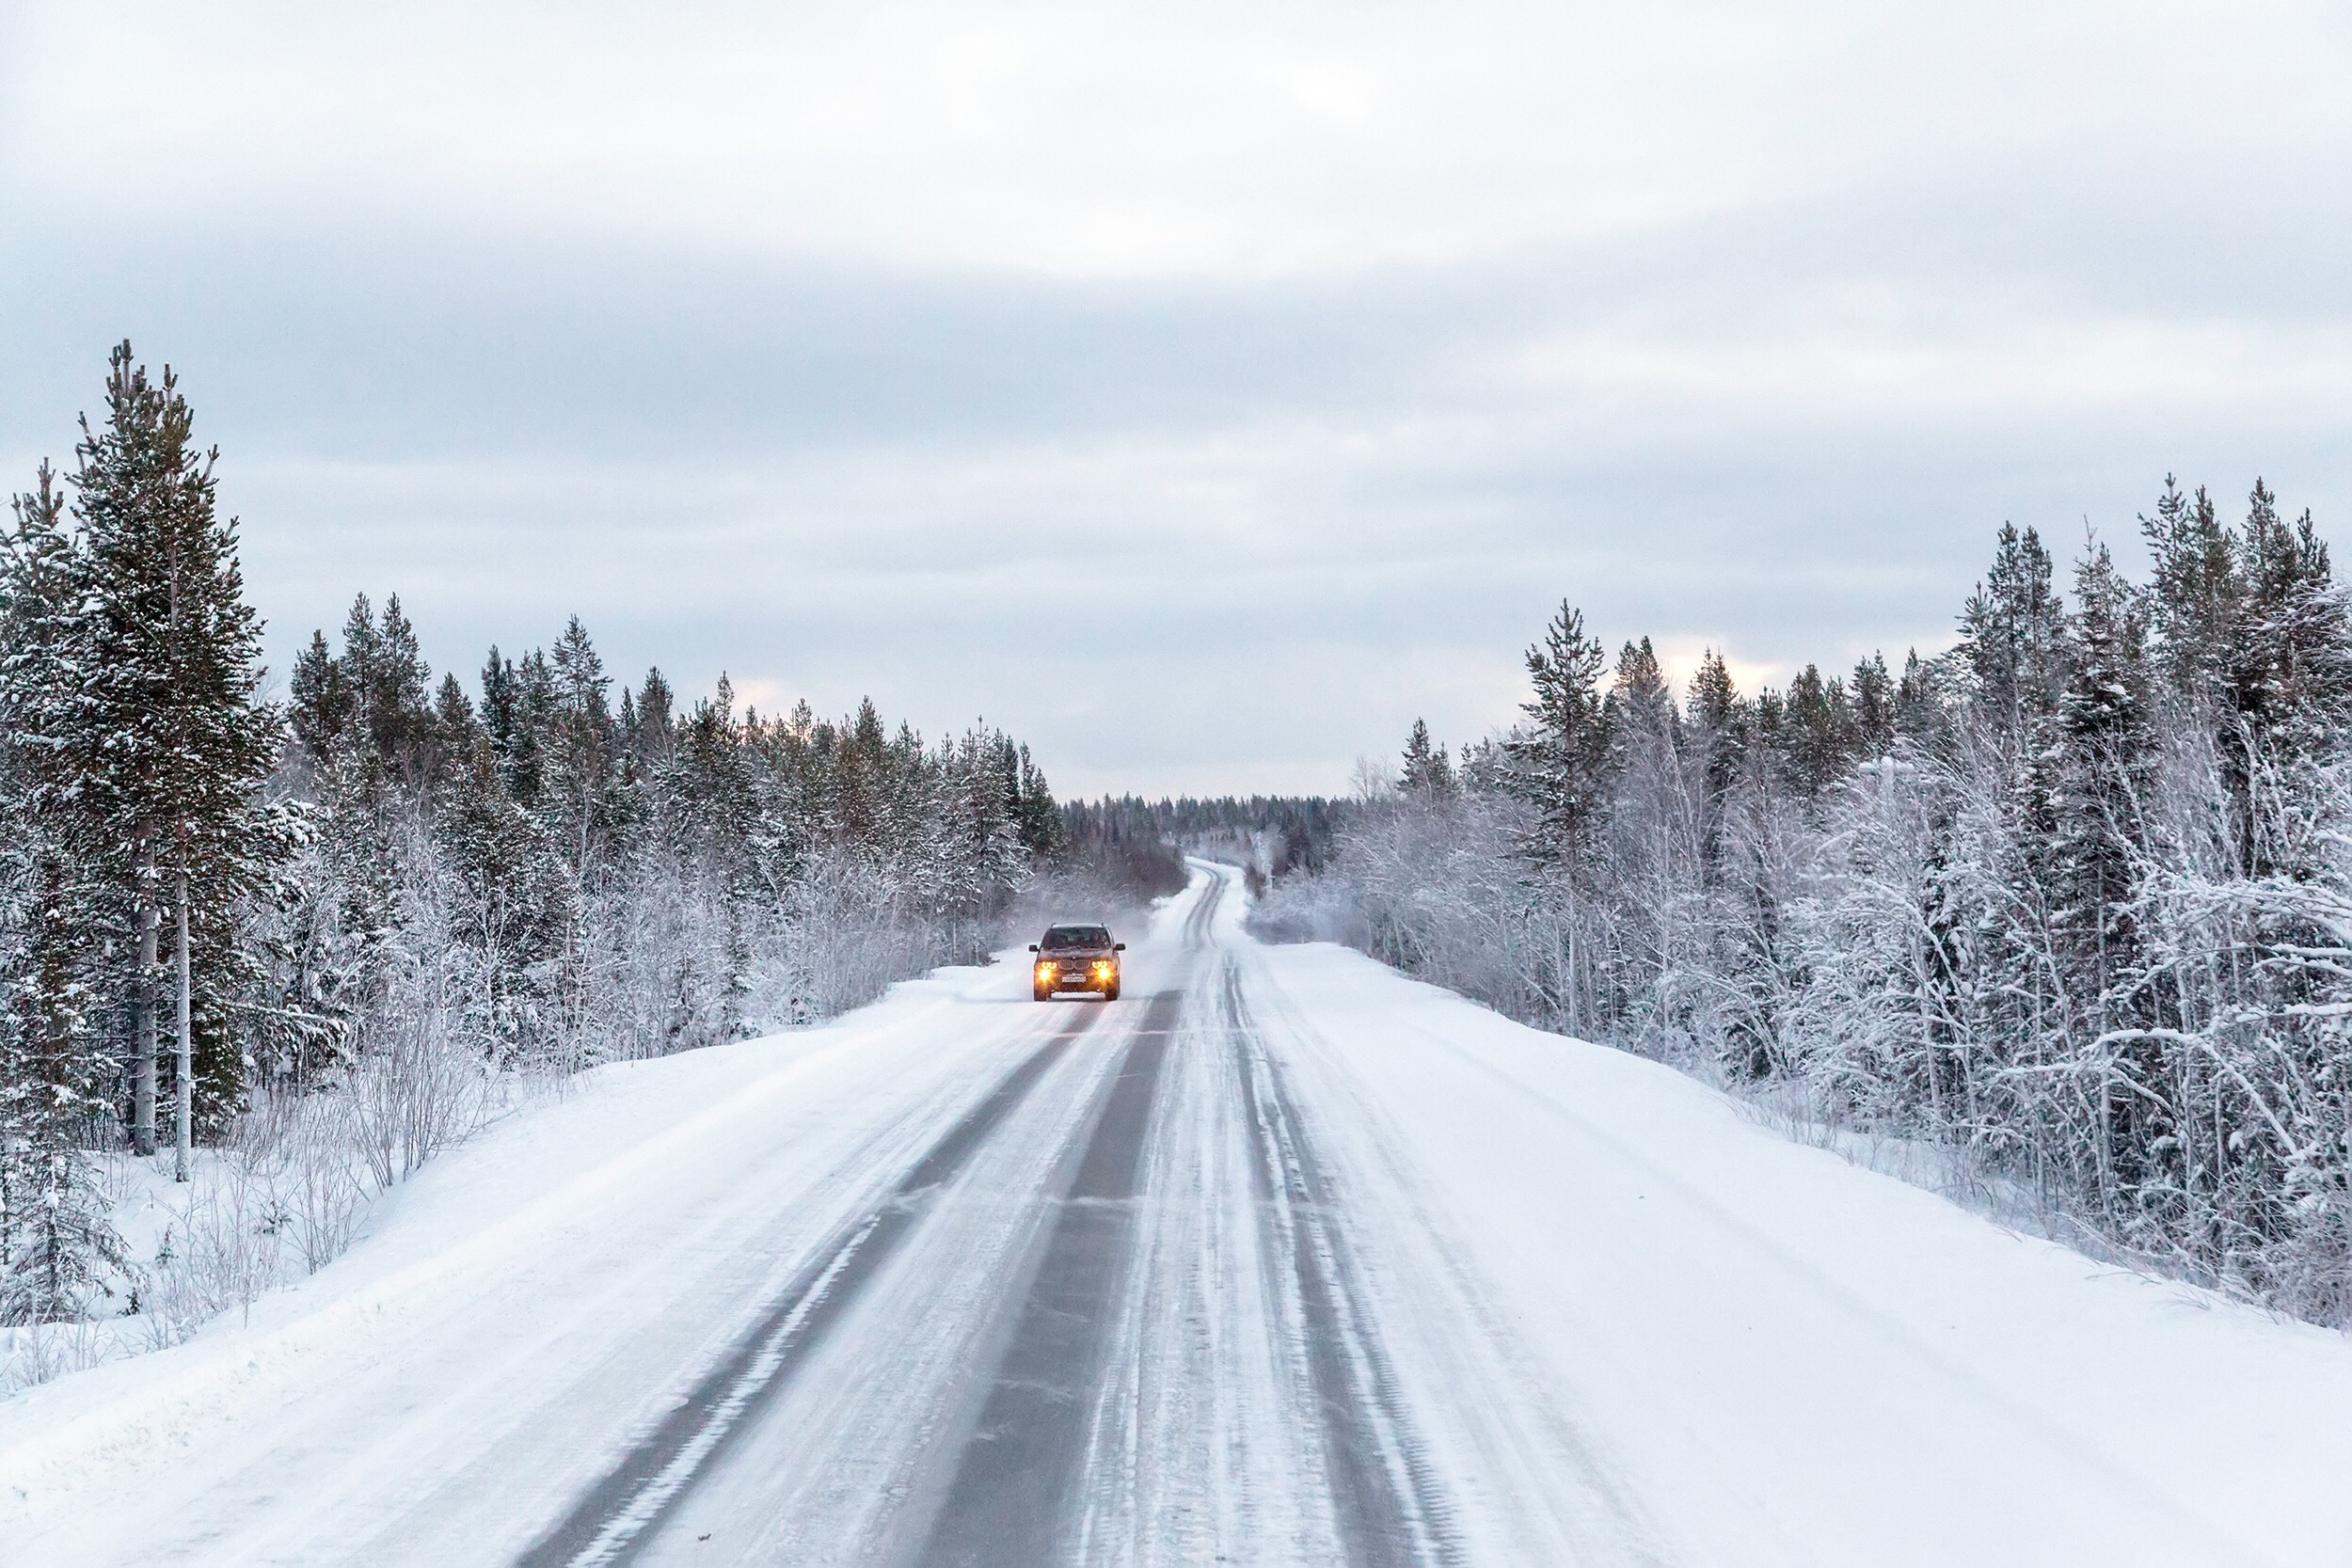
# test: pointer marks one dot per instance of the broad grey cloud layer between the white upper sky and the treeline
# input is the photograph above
(1299, 514)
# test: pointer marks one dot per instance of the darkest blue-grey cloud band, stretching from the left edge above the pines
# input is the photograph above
(481, 344)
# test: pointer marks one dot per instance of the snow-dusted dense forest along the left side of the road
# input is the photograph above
(338, 932)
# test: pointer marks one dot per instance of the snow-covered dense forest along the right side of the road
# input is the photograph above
(2073, 899)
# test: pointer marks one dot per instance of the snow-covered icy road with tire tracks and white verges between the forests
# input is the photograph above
(1278, 1261)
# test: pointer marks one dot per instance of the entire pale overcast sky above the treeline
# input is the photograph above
(1196, 391)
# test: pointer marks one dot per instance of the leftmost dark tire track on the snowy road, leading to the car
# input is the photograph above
(622, 1510)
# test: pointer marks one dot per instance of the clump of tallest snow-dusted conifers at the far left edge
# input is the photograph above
(133, 789)
